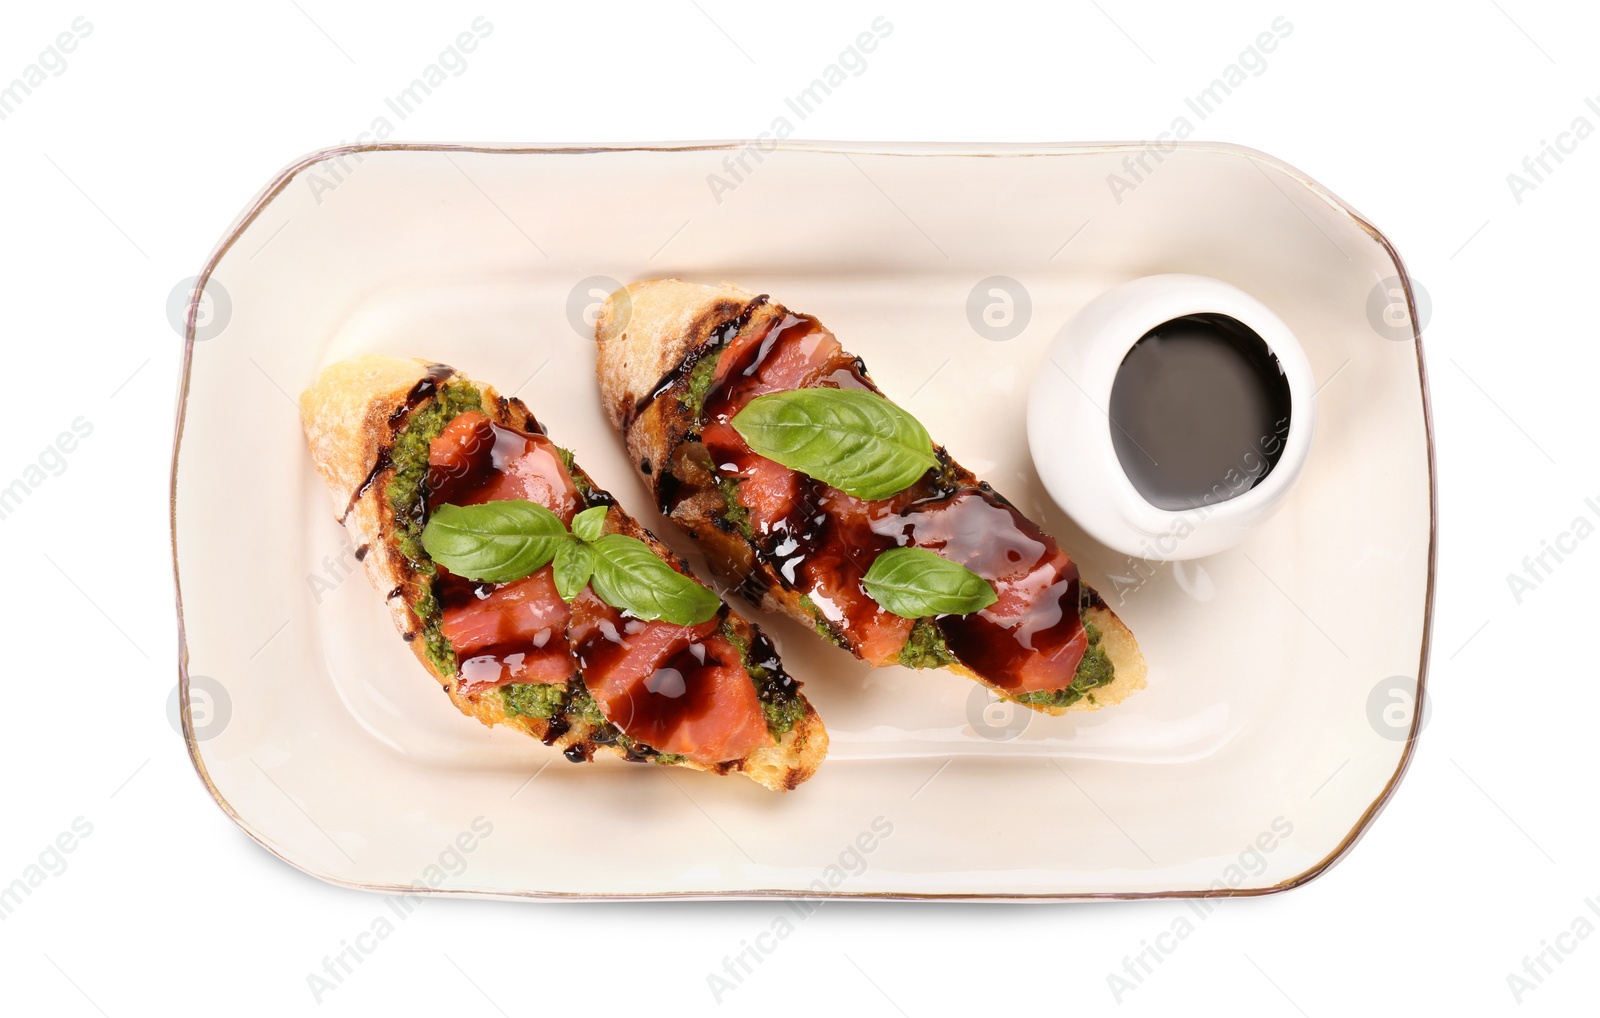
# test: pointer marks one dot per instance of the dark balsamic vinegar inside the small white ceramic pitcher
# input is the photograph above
(1199, 412)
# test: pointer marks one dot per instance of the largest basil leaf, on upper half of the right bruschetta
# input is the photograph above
(852, 439)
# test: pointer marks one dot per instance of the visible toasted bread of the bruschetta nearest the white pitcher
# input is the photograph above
(650, 339)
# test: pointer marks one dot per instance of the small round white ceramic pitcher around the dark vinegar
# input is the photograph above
(1070, 430)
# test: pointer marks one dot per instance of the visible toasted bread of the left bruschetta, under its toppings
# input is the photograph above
(356, 417)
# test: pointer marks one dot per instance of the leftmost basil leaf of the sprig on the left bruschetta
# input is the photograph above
(494, 542)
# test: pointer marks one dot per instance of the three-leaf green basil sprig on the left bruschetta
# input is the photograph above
(508, 540)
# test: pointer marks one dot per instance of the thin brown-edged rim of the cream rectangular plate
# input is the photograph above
(282, 180)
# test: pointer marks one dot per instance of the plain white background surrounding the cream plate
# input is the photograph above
(122, 172)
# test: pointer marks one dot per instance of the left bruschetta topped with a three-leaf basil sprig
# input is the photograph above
(530, 596)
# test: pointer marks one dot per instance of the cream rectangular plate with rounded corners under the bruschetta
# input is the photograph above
(1282, 675)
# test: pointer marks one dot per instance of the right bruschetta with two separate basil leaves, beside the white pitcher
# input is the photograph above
(818, 499)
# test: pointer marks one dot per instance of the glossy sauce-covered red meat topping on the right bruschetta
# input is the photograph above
(820, 542)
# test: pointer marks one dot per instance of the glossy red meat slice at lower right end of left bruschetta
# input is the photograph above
(679, 689)
